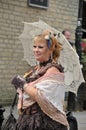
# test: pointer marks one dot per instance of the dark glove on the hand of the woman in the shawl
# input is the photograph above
(18, 82)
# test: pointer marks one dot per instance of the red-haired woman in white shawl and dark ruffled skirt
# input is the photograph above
(41, 93)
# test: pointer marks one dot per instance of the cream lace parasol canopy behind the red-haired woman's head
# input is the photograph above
(68, 56)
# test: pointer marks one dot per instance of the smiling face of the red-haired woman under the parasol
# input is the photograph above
(41, 51)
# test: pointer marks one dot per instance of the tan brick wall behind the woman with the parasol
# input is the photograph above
(60, 14)
